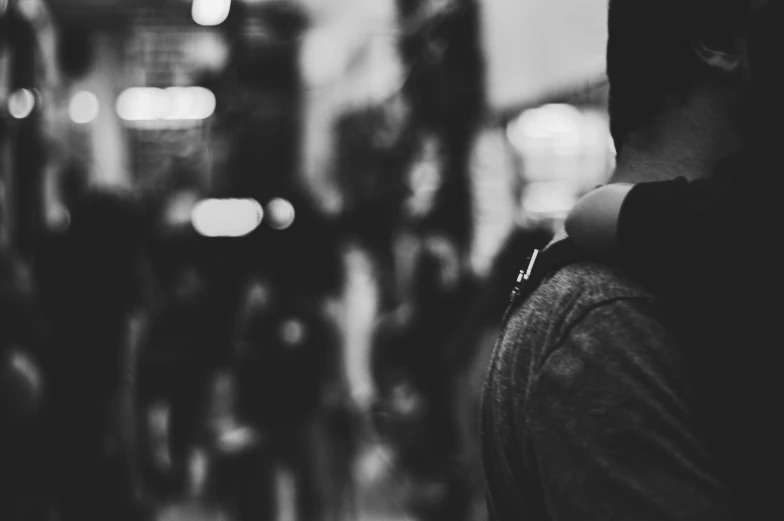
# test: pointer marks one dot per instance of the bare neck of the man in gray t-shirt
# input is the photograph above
(685, 141)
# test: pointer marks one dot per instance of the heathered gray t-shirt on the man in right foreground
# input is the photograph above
(589, 410)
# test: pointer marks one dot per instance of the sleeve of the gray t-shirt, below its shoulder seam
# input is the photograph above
(610, 426)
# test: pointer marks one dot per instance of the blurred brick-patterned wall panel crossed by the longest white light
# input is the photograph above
(165, 111)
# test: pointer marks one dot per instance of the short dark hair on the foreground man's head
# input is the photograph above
(650, 55)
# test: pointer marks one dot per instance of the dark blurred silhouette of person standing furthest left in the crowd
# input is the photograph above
(91, 288)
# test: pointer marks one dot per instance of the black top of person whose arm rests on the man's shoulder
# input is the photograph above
(711, 248)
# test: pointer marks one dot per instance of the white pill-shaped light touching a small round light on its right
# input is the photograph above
(226, 217)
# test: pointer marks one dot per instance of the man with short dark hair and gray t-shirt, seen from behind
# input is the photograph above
(595, 405)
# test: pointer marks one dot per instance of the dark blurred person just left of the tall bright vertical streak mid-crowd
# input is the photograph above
(289, 378)
